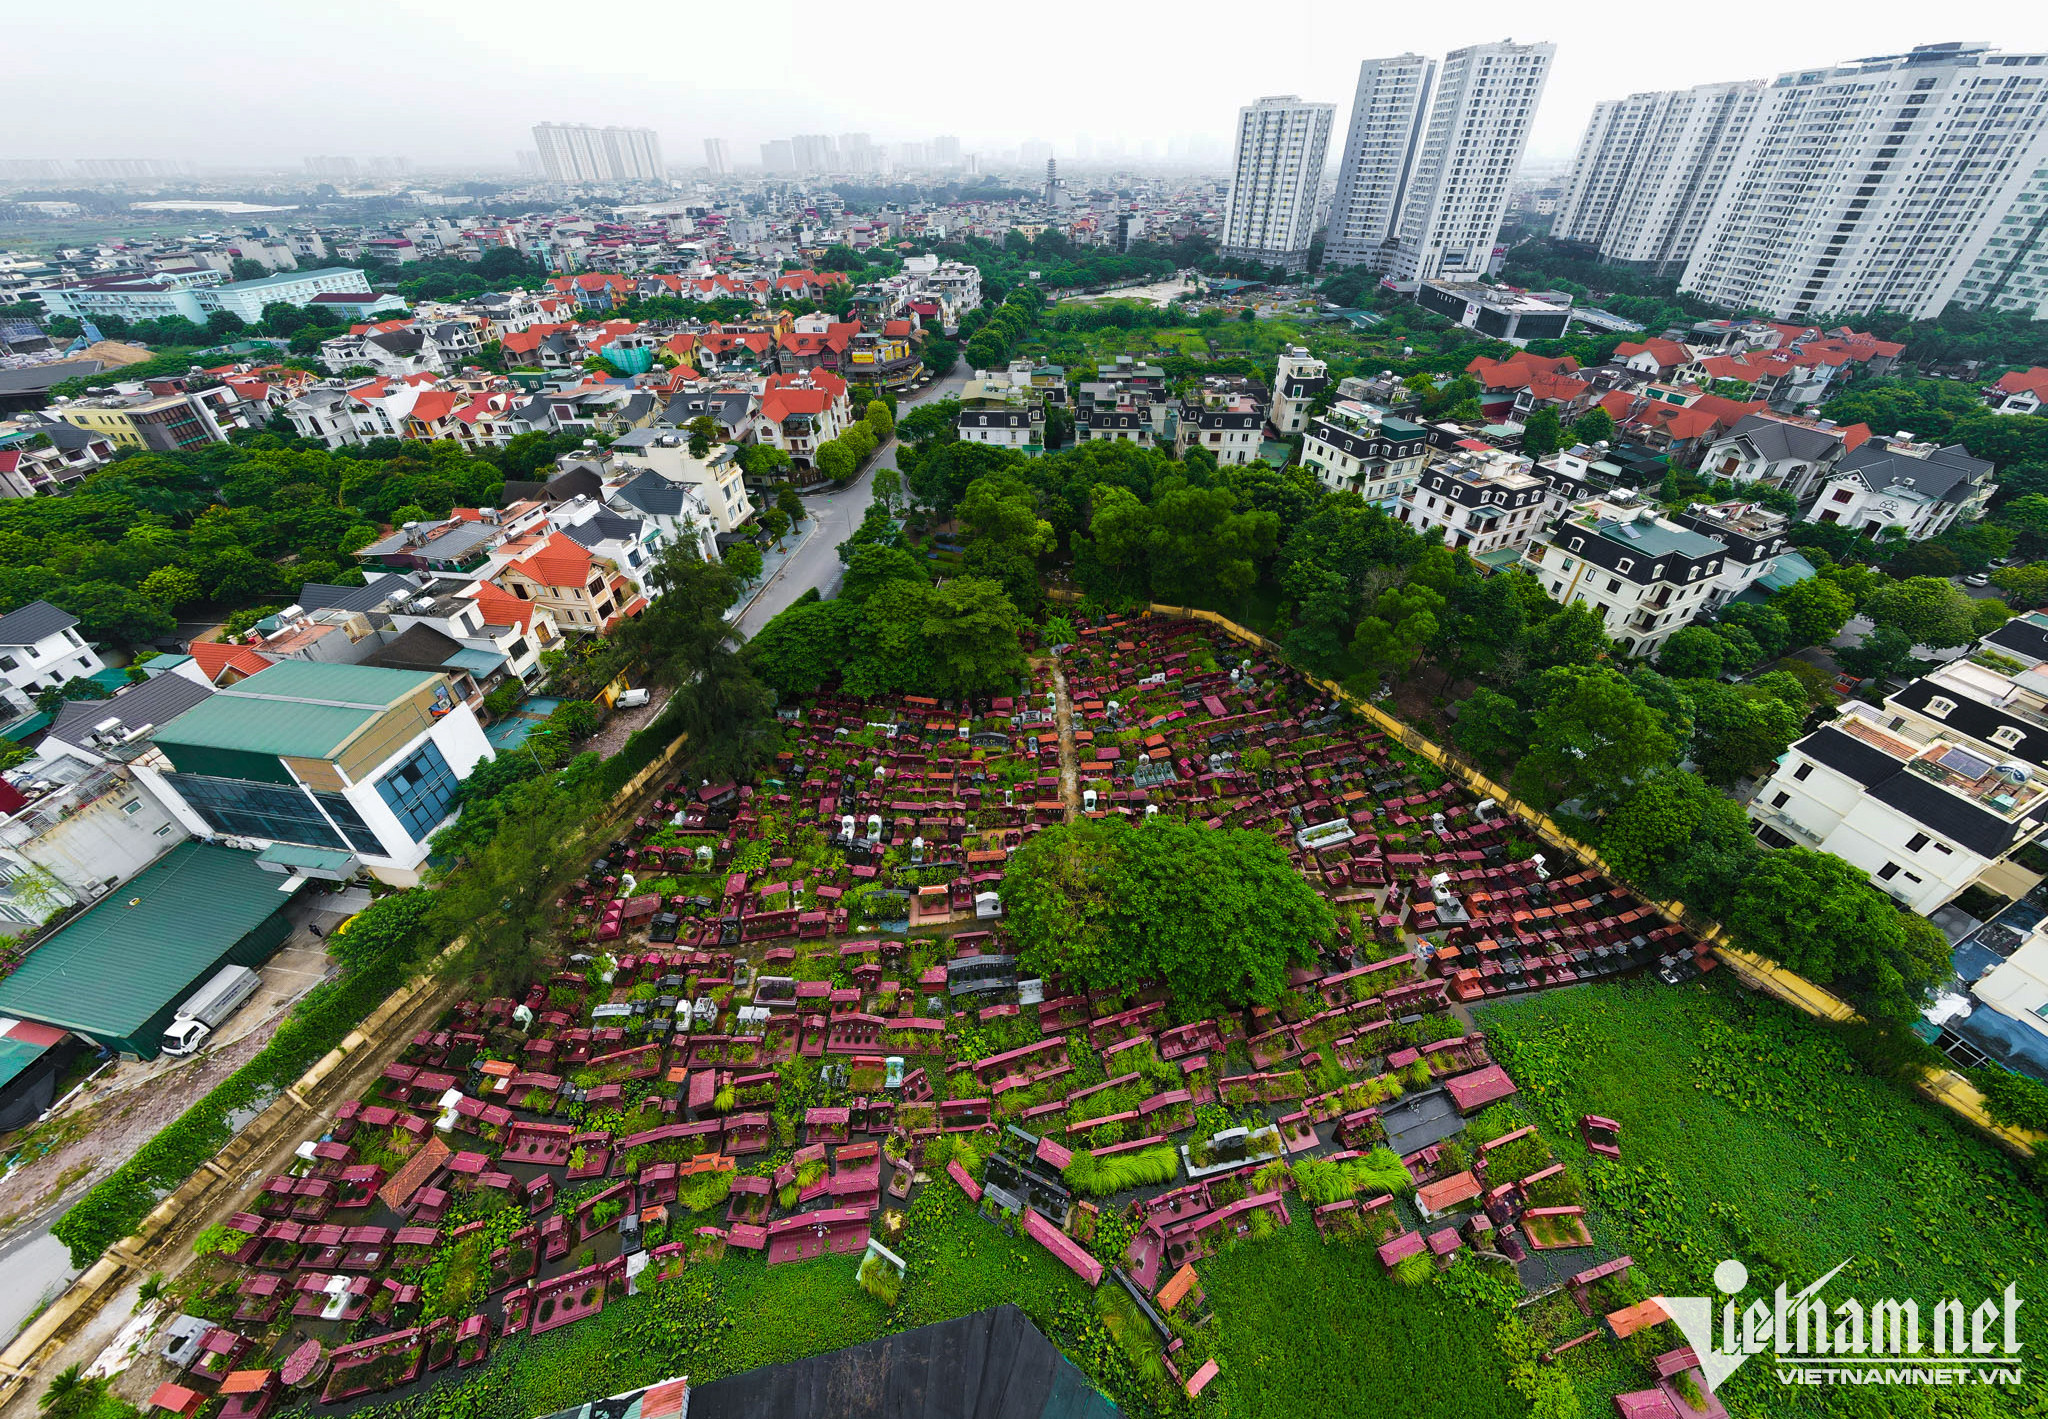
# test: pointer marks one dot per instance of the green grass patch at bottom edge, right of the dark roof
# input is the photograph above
(1308, 1330)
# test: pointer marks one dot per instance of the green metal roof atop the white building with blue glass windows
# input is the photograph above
(296, 707)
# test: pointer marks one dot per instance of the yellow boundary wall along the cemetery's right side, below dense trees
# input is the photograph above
(1943, 1086)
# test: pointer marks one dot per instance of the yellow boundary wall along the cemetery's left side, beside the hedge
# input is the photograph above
(155, 1246)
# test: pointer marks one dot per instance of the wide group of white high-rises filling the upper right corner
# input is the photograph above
(1897, 183)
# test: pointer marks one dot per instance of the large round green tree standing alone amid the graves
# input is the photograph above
(1218, 914)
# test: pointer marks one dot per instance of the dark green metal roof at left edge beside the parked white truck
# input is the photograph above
(146, 943)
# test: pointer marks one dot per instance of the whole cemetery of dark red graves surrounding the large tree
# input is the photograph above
(790, 1033)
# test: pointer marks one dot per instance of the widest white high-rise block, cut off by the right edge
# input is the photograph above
(1877, 183)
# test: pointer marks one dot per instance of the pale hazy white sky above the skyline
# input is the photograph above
(462, 85)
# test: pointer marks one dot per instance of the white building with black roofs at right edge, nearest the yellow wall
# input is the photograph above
(1928, 793)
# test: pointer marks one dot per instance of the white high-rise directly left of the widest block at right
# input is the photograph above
(1650, 171)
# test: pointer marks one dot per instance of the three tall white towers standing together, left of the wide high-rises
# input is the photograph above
(1424, 177)
